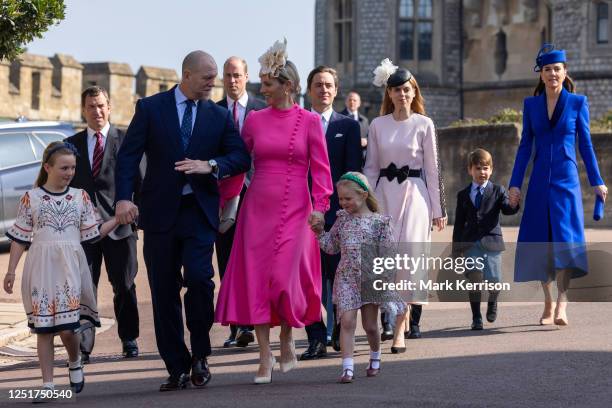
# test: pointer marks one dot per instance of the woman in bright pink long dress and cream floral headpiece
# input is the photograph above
(274, 273)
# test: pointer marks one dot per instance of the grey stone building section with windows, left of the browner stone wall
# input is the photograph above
(354, 36)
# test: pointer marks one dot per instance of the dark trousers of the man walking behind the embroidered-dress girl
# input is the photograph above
(120, 259)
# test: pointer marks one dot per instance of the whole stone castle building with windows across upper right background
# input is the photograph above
(471, 57)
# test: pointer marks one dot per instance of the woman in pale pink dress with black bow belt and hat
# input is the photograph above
(402, 165)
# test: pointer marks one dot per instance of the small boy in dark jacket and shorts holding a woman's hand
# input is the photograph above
(477, 233)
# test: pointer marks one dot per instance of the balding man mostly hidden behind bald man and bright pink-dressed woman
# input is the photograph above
(239, 102)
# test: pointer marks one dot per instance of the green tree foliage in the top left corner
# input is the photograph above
(23, 20)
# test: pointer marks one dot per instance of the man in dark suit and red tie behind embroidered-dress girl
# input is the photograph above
(97, 146)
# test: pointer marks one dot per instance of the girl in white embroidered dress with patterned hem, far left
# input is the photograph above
(56, 287)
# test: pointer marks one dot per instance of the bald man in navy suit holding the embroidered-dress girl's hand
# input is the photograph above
(190, 143)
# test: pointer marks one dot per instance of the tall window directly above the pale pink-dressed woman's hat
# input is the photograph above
(415, 29)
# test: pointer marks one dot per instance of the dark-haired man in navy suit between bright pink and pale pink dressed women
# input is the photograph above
(344, 149)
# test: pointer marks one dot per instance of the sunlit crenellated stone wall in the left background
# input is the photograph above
(42, 88)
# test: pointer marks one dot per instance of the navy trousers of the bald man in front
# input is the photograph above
(186, 247)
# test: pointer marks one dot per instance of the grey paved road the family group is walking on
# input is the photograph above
(514, 363)
